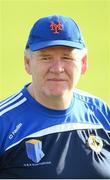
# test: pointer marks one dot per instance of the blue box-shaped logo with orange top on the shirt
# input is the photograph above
(34, 150)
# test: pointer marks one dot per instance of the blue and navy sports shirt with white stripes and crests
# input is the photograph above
(42, 143)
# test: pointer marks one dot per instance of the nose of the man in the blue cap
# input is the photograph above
(57, 66)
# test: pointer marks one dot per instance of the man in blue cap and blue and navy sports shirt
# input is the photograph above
(50, 129)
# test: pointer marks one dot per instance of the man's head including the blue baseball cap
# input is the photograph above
(55, 56)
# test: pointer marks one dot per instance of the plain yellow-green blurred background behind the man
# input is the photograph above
(16, 19)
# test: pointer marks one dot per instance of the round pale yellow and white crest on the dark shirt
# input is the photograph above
(95, 143)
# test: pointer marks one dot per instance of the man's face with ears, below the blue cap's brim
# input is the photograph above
(55, 70)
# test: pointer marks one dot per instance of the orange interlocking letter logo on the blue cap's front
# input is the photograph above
(56, 27)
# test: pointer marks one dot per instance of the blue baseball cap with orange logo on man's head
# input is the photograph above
(55, 30)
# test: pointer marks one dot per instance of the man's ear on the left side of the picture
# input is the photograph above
(27, 64)
